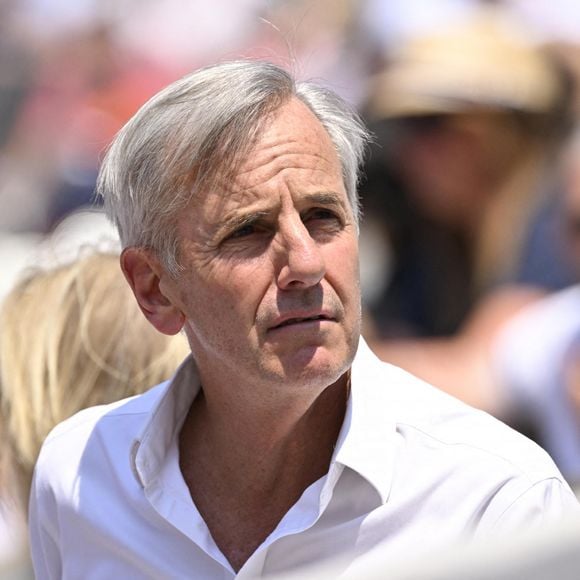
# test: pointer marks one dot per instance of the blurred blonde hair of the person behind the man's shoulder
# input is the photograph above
(72, 337)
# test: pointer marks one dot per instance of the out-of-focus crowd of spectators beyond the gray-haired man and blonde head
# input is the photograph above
(470, 244)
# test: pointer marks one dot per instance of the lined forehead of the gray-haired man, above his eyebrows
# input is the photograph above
(292, 160)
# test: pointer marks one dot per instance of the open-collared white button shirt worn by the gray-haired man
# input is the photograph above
(413, 470)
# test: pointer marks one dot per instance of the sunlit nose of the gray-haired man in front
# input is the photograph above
(301, 263)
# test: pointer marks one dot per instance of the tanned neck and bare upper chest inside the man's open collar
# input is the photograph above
(246, 467)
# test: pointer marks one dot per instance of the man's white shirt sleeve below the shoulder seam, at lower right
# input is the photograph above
(547, 501)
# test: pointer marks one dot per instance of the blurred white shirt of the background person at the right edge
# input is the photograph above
(530, 357)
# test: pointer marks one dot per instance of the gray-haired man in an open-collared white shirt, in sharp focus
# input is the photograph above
(234, 191)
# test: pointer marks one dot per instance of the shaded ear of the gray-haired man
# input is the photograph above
(144, 272)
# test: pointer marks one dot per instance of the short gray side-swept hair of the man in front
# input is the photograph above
(177, 142)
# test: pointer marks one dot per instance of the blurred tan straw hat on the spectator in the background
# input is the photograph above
(485, 63)
